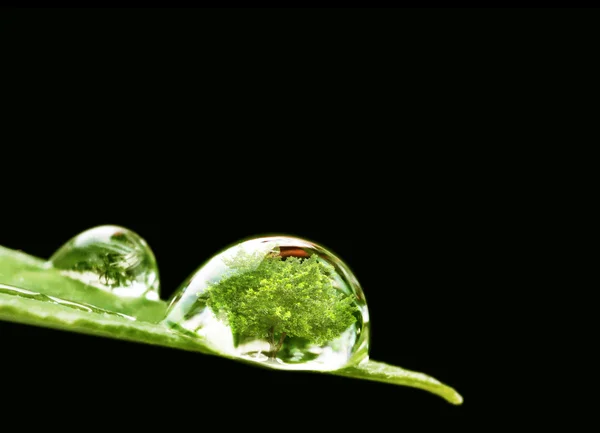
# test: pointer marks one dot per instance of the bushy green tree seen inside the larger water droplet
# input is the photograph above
(275, 298)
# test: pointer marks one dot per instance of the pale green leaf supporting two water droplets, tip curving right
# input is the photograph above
(41, 303)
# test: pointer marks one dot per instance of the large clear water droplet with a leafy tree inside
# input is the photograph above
(284, 302)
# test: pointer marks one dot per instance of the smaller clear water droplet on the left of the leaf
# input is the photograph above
(111, 258)
